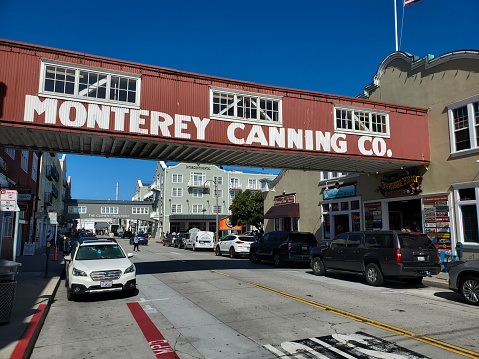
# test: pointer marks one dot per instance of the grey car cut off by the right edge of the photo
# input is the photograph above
(464, 279)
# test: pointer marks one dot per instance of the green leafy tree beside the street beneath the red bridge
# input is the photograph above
(247, 208)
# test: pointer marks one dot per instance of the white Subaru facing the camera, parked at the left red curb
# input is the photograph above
(98, 266)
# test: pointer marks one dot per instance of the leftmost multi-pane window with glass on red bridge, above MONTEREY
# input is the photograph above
(83, 82)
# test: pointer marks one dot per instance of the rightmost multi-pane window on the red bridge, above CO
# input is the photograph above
(360, 120)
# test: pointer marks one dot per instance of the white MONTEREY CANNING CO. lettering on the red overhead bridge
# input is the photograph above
(76, 114)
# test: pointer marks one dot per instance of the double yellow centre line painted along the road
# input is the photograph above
(374, 323)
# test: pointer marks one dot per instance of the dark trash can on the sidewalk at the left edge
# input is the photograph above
(8, 285)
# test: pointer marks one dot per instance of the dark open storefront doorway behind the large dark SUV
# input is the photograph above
(405, 214)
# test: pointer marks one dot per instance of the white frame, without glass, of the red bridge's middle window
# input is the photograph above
(257, 97)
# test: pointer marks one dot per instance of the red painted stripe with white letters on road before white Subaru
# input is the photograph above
(155, 339)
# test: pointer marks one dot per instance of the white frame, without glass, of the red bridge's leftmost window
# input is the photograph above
(77, 96)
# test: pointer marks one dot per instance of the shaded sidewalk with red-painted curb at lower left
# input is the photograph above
(35, 291)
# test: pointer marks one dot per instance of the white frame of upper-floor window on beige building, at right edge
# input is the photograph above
(472, 123)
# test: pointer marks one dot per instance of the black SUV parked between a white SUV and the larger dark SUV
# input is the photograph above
(283, 246)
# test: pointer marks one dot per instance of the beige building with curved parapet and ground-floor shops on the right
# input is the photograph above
(441, 198)
